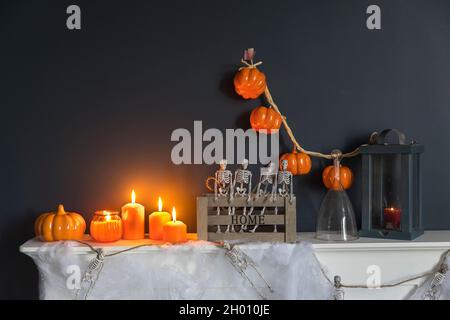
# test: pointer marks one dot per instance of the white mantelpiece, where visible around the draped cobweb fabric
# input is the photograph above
(395, 259)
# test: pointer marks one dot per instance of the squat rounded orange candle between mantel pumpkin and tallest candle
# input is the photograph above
(106, 226)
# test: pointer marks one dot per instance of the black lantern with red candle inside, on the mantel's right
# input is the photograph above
(391, 187)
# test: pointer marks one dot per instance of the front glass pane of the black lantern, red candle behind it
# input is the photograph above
(386, 191)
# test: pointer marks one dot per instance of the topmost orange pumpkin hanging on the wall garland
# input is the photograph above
(249, 82)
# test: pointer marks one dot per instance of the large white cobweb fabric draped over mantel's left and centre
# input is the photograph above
(196, 270)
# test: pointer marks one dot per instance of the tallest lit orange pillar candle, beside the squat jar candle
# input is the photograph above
(133, 216)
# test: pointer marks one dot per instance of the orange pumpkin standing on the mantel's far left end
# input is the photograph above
(60, 225)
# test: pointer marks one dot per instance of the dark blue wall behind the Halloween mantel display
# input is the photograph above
(87, 115)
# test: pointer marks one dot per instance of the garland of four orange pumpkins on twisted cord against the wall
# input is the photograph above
(250, 83)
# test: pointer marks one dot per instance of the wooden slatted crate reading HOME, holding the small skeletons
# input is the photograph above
(208, 220)
